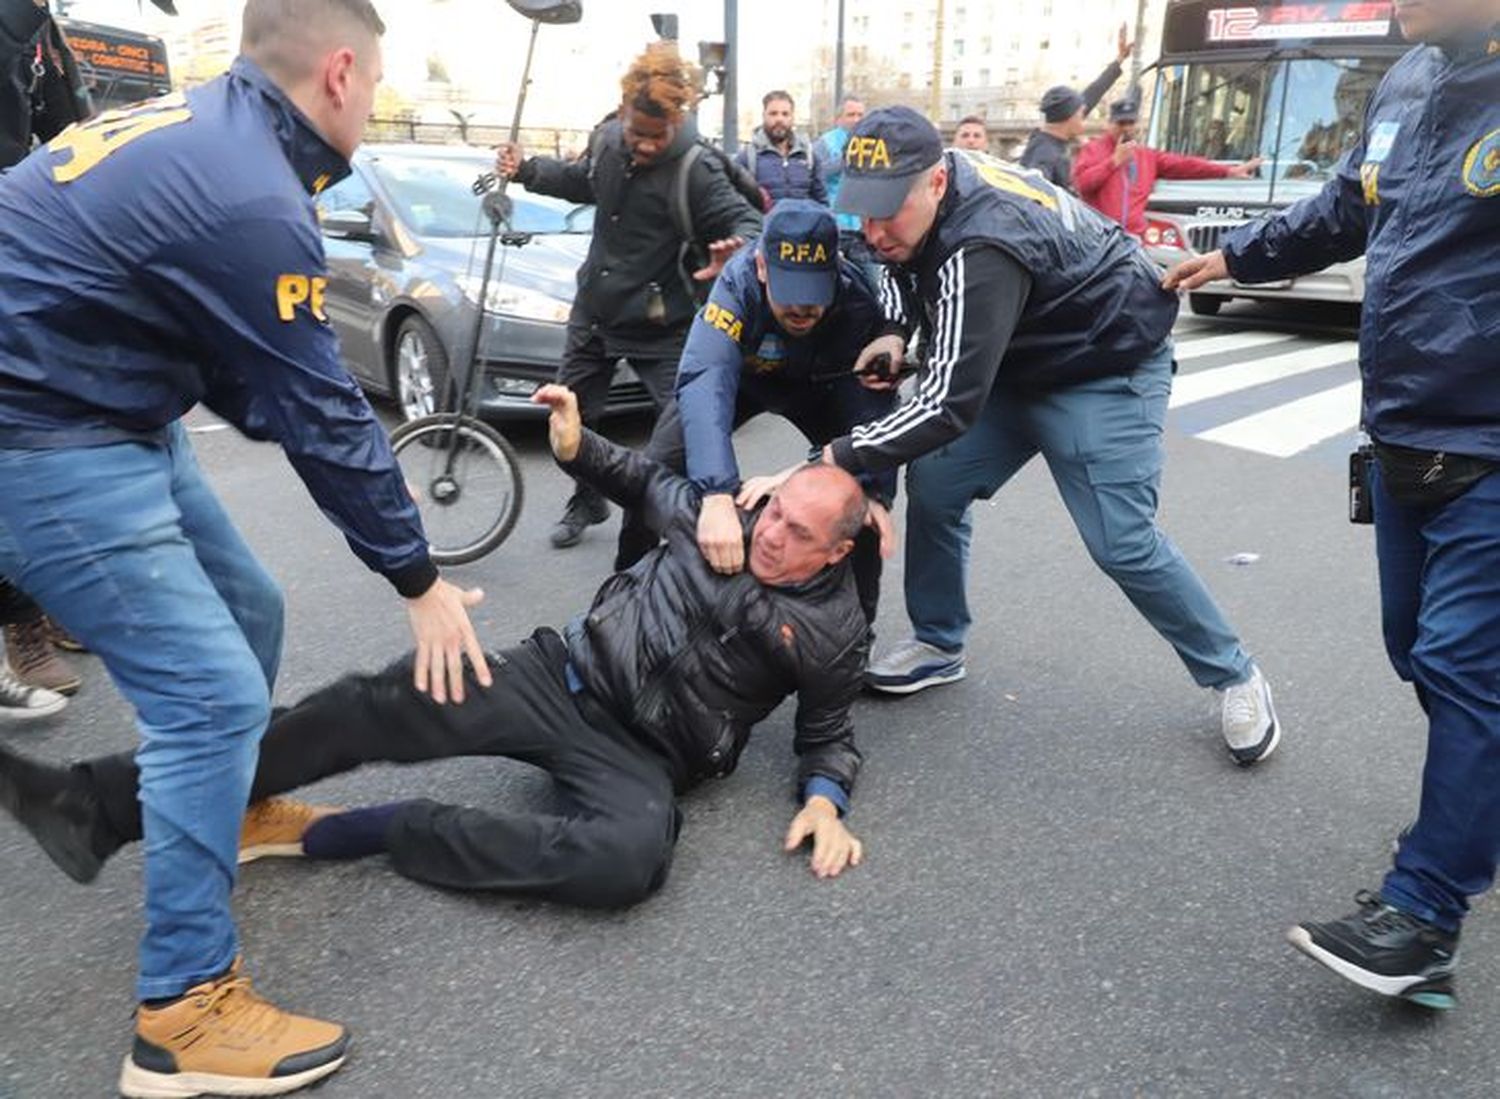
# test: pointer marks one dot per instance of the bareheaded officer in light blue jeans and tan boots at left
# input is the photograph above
(167, 259)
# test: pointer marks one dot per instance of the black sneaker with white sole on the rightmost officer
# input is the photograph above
(1387, 951)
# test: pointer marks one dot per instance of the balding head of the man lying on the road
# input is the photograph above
(811, 524)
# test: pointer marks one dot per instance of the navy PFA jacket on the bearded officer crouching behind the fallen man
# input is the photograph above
(739, 359)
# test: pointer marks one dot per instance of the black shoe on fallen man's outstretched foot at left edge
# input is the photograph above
(59, 810)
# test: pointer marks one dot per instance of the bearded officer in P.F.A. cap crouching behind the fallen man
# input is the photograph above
(779, 334)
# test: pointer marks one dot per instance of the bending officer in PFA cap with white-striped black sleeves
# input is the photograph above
(1046, 334)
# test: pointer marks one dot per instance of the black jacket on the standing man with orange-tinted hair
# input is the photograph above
(637, 239)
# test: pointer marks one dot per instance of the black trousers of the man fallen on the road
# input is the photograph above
(608, 845)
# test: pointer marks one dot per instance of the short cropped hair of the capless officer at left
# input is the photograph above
(287, 38)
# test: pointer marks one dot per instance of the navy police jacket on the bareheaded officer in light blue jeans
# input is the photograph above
(170, 256)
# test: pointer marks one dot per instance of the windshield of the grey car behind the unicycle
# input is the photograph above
(433, 196)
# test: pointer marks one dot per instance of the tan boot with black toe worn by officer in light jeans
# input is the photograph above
(221, 1038)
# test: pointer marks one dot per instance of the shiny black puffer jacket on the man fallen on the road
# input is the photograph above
(691, 660)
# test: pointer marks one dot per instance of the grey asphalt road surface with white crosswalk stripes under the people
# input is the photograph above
(1069, 890)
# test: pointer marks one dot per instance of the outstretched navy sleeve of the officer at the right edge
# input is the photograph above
(1325, 229)
